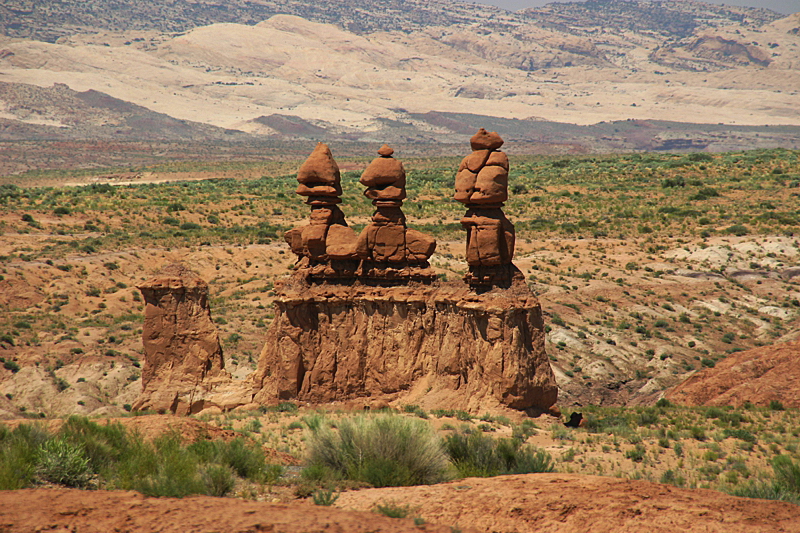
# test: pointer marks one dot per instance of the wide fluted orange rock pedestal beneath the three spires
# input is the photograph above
(437, 346)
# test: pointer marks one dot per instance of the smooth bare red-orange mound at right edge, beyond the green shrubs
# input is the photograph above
(758, 376)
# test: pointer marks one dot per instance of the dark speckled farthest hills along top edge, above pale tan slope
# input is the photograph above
(47, 20)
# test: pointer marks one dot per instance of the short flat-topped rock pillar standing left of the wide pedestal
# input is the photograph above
(182, 353)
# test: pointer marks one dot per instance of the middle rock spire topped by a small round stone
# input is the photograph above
(389, 250)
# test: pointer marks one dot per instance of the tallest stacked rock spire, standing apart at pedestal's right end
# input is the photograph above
(482, 185)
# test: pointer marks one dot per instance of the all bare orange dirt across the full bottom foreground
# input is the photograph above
(523, 503)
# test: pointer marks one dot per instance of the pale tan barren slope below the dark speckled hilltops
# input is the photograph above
(712, 65)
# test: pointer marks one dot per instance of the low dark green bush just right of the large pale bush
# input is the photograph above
(477, 455)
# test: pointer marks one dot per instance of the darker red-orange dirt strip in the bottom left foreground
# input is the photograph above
(101, 511)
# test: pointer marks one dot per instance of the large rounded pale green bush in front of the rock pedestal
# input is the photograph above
(386, 450)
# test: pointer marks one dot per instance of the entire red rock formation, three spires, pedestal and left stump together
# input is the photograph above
(437, 344)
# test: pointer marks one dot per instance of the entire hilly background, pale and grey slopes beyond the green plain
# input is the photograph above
(407, 71)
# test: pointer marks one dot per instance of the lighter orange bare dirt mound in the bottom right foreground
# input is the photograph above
(570, 503)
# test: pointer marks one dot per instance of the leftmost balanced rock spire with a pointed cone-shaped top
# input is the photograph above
(326, 247)
